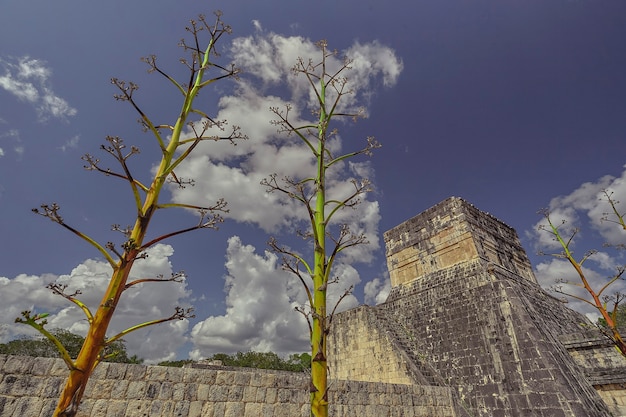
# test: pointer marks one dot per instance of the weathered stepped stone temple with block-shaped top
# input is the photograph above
(466, 312)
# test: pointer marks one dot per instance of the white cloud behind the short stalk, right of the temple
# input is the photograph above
(587, 211)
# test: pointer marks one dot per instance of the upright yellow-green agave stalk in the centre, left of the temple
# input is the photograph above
(328, 239)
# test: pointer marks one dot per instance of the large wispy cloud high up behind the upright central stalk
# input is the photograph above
(236, 171)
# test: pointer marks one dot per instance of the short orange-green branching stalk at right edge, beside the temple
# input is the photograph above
(609, 306)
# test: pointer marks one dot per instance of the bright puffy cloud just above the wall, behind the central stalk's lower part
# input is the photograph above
(261, 301)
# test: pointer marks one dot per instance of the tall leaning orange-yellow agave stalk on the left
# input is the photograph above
(174, 149)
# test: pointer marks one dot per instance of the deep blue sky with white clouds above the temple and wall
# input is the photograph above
(512, 105)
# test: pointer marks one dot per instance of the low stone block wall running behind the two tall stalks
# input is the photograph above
(29, 387)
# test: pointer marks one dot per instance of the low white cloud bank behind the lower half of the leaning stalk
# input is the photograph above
(144, 302)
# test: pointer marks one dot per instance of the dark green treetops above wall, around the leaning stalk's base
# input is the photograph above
(44, 348)
